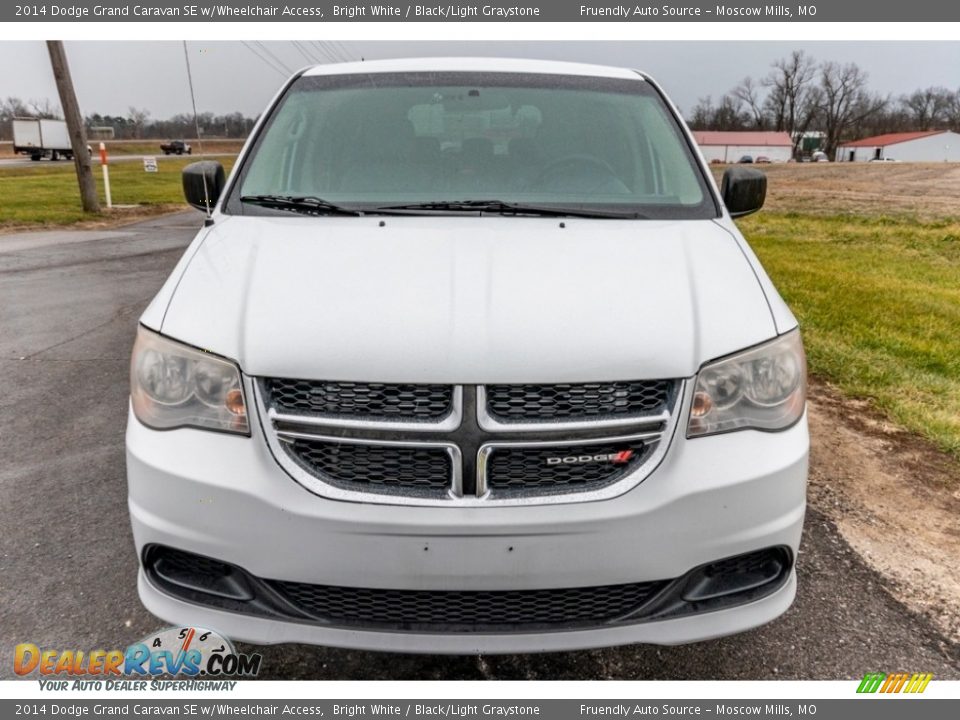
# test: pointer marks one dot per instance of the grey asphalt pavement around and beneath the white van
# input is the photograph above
(69, 302)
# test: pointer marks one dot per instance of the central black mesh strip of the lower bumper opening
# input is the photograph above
(479, 610)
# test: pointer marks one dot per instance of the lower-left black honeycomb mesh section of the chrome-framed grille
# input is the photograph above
(380, 466)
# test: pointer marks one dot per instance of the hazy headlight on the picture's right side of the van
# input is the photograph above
(763, 388)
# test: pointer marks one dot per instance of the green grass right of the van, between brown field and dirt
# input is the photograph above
(878, 301)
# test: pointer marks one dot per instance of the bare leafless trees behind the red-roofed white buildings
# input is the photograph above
(800, 95)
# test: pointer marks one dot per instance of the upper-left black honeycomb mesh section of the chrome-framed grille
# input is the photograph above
(360, 400)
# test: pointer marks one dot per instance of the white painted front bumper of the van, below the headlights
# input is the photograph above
(226, 498)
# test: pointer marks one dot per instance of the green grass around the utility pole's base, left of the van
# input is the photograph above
(47, 194)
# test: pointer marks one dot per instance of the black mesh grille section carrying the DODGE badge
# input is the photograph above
(521, 468)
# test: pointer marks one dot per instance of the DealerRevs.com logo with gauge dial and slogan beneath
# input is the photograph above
(178, 651)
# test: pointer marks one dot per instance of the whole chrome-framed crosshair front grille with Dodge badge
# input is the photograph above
(457, 455)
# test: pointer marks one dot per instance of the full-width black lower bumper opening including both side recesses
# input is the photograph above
(714, 586)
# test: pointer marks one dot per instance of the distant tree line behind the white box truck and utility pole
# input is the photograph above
(136, 124)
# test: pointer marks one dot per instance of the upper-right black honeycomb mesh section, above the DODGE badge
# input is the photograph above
(582, 401)
